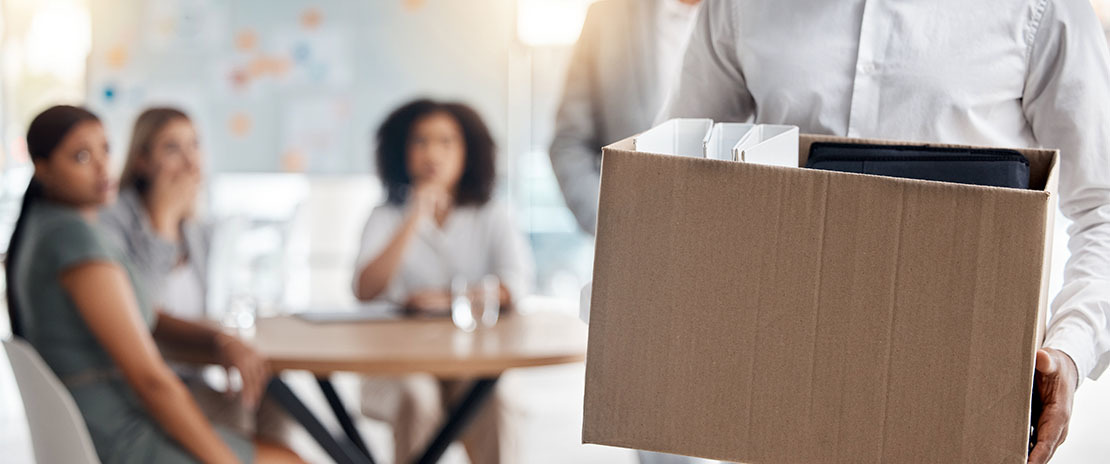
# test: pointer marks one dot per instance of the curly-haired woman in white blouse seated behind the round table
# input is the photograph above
(437, 163)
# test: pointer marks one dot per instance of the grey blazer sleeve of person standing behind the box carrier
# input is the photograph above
(577, 148)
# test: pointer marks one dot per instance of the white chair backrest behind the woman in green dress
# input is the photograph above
(58, 431)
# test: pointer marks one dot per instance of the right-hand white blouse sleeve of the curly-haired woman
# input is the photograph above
(512, 258)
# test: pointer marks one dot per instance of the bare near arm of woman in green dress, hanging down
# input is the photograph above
(106, 300)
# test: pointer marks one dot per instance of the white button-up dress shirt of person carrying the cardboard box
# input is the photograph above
(995, 73)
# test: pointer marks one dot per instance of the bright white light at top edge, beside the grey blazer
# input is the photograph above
(550, 23)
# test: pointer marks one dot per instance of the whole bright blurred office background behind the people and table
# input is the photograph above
(287, 96)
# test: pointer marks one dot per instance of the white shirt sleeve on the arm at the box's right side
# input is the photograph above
(1067, 102)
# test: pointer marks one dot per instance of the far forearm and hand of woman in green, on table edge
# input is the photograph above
(231, 352)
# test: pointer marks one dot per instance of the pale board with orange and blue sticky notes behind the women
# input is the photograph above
(296, 86)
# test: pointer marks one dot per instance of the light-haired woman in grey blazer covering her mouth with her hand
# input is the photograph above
(155, 224)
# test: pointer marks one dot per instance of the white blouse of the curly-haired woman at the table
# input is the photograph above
(475, 243)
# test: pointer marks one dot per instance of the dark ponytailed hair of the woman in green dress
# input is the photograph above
(46, 133)
